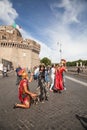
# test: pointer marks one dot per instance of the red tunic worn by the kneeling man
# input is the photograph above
(22, 95)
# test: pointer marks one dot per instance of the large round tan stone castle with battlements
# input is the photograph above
(16, 50)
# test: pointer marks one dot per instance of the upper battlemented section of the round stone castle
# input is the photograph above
(11, 37)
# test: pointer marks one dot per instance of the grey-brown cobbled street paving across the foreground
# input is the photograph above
(58, 113)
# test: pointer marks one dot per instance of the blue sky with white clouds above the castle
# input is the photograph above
(59, 26)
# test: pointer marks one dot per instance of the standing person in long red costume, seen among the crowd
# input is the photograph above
(58, 85)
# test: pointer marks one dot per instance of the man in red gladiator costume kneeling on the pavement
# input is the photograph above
(25, 96)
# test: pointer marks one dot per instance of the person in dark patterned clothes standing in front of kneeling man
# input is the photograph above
(41, 83)
